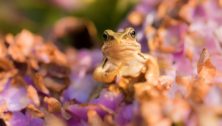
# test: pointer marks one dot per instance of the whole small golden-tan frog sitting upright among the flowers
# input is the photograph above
(123, 58)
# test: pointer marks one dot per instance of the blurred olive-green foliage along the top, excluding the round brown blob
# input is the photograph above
(40, 15)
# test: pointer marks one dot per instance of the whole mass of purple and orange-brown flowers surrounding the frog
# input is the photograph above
(40, 85)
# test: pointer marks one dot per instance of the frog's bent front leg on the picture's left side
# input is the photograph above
(105, 72)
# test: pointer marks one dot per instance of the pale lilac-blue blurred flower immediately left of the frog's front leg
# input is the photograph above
(82, 83)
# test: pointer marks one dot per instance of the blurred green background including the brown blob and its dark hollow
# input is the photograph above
(60, 19)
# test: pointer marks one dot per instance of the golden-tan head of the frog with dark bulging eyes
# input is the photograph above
(120, 44)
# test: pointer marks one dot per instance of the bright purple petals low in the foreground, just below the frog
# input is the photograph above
(107, 102)
